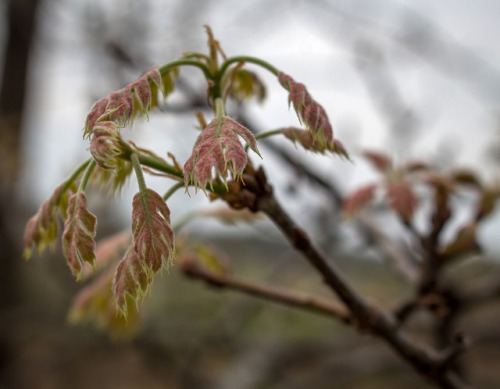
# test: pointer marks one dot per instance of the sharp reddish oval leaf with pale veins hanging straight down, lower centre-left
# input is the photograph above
(153, 236)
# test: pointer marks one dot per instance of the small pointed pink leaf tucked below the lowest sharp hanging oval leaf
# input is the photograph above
(130, 280)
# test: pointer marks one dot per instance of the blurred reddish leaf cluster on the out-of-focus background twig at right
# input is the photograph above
(400, 188)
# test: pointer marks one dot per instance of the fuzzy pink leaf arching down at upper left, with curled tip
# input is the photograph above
(111, 112)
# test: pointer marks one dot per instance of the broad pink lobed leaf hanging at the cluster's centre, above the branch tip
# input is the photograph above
(219, 148)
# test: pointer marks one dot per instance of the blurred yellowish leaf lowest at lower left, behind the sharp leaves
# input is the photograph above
(95, 304)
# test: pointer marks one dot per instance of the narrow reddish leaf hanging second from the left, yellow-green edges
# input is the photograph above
(79, 232)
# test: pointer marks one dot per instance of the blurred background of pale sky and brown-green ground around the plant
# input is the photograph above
(418, 80)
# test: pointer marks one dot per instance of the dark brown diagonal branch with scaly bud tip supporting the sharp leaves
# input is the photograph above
(254, 193)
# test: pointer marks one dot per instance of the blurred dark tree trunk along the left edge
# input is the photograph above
(21, 25)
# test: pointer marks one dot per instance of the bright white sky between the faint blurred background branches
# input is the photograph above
(456, 119)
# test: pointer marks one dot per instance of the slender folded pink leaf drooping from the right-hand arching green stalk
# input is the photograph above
(309, 111)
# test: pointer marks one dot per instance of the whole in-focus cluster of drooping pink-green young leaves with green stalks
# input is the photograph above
(128, 266)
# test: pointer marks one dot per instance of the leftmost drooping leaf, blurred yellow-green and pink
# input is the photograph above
(42, 229)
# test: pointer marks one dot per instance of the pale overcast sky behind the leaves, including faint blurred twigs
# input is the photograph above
(376, 66)
